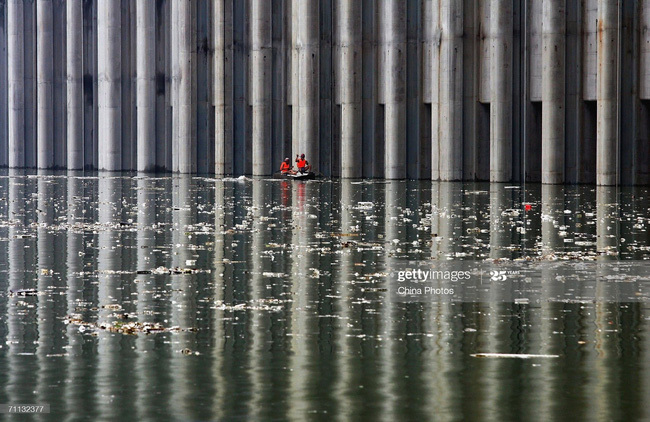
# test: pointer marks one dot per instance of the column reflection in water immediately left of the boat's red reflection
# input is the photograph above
(260, 320)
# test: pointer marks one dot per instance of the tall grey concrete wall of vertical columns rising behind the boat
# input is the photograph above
(553, 91)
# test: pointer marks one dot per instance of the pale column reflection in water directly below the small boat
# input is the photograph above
(303, 282)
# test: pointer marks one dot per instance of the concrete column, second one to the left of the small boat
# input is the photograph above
(222, 83)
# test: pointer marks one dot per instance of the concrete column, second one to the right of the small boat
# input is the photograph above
(393, 29)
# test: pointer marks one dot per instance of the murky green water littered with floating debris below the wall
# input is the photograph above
(267, 300)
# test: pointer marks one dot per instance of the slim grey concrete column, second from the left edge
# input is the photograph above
(44, 84)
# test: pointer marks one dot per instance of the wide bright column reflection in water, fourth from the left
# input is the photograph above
(109, 291)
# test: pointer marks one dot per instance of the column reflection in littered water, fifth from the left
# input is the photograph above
(145, 345)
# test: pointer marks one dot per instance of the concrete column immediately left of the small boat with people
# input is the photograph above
(260, 83)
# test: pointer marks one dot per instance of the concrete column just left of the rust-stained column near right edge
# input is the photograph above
(553, 87)
